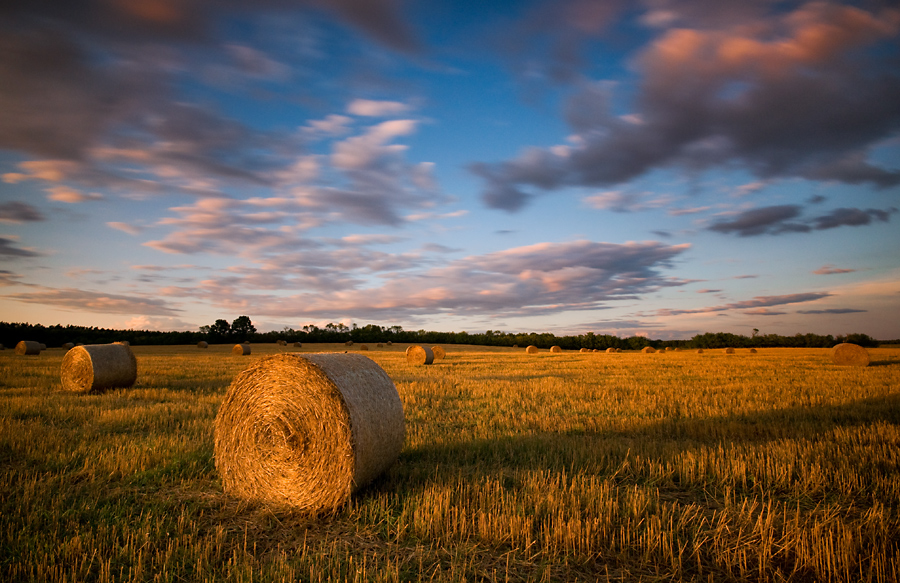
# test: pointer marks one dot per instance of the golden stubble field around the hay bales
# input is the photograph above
(676, 466)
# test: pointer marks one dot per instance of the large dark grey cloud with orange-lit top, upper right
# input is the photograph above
(799, 93)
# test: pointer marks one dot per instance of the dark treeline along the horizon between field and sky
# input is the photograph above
(55, 336)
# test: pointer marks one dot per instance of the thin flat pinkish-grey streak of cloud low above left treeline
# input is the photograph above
(88, 301)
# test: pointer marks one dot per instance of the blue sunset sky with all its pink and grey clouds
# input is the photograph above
(661, 168)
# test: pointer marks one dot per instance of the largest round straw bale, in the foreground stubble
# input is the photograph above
(305, 431)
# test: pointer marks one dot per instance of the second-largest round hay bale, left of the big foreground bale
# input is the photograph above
(96, 367)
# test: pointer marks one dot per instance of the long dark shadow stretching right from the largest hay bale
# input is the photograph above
(604, 452)
